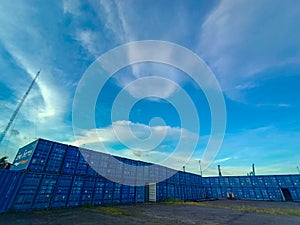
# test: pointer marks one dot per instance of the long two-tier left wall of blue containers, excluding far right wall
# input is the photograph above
(54, 175)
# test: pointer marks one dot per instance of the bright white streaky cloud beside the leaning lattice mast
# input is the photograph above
(32, 56)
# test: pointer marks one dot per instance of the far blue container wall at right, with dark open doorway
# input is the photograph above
(272, 187)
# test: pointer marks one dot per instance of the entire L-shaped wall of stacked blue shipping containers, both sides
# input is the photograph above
(52, 175)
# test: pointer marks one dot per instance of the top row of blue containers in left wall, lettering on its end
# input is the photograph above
(45, 156)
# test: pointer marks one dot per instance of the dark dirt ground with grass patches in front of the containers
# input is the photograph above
(210, 212)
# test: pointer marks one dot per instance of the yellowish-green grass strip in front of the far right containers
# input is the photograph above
(273, 211)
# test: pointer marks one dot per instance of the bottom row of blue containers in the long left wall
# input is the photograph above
(32, 190)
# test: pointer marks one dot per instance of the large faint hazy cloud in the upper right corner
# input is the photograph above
(241, 39)
